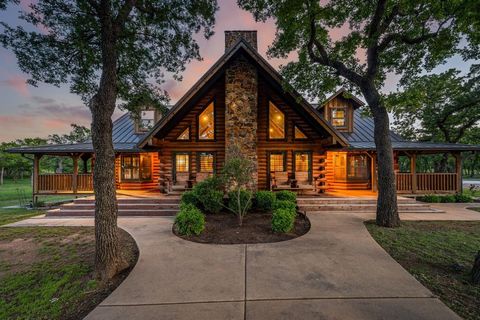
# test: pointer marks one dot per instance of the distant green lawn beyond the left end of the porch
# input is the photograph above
(11, 193)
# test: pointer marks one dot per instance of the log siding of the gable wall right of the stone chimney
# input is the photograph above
(292, 118)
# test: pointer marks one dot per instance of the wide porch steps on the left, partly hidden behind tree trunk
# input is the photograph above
(164, 206)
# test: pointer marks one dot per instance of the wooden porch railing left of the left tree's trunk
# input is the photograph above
(64, 183)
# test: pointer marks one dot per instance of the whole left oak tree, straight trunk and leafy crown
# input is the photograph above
(109, 52)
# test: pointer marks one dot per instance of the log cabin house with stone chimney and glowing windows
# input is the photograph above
(241, 100)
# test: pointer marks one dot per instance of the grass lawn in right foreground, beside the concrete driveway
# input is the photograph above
(440, 255)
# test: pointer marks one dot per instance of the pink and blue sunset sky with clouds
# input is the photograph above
(27, 111)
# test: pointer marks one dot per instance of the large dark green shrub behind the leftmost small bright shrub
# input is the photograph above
(209, 193)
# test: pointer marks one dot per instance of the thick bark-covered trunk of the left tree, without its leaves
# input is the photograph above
(108, 259)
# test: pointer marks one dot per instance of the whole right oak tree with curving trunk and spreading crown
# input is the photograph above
(356, 44)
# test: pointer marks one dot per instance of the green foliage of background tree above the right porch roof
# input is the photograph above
(441, 107)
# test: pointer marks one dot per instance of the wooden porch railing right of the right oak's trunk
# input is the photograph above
(426, 182)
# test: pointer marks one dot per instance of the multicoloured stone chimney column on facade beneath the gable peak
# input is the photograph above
(241, 103)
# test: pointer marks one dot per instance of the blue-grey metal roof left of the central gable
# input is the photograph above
(123, 135)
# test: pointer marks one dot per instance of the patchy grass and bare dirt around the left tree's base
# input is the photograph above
(47, 272)
